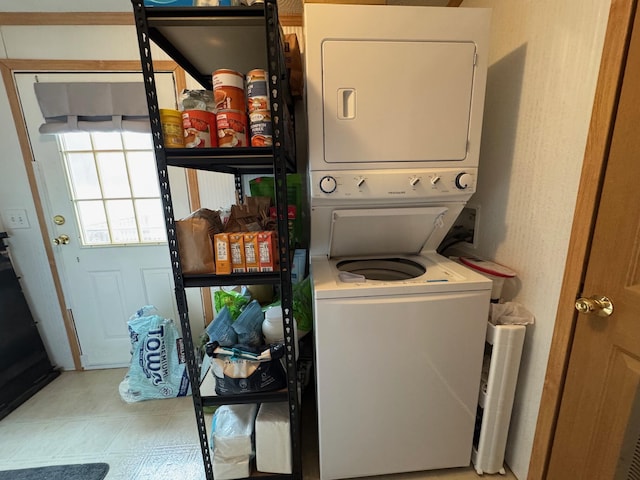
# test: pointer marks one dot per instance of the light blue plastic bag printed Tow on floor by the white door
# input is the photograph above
(158, 363)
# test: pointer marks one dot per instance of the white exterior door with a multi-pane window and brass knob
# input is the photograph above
(100, 190)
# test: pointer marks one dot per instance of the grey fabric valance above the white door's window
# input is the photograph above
(101, 107)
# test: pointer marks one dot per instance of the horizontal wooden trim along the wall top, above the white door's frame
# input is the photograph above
(95, 18)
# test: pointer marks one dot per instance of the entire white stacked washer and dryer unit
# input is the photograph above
(395, 98)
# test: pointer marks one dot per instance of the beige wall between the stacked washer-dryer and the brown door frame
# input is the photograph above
(544, 60)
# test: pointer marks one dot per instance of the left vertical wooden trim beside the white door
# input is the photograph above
(25, 147)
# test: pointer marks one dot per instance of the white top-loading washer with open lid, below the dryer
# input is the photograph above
(399, 336)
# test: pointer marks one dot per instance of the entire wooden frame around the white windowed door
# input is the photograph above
(7, 69)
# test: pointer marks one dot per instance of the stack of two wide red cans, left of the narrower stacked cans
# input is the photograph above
(231, 119)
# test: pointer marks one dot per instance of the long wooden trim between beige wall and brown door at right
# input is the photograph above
(596, 151)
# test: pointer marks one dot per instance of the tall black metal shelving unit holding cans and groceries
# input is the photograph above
(201, 40)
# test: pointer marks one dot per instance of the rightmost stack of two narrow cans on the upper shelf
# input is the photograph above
(259, 109)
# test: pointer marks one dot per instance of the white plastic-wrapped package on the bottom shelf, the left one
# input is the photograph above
(232, 428)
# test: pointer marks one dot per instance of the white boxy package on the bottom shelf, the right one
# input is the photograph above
(273, 444)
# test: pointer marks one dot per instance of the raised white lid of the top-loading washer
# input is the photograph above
(385, 231)
